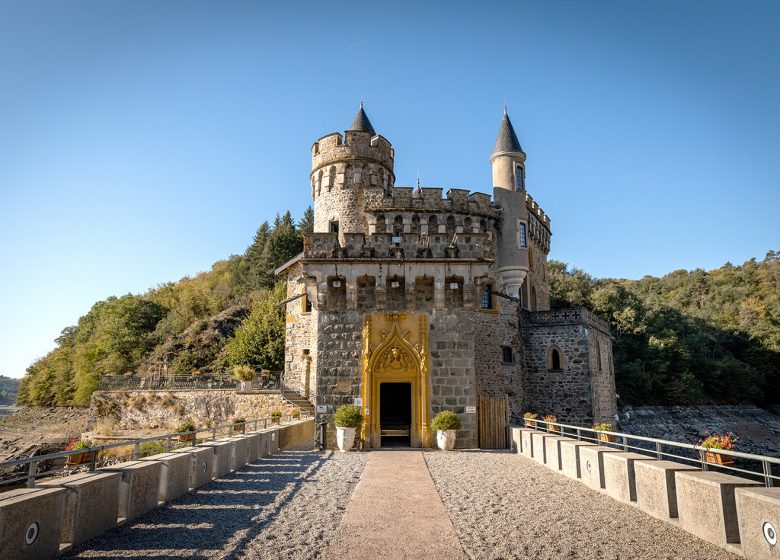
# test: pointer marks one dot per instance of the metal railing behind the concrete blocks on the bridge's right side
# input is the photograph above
(755, 466)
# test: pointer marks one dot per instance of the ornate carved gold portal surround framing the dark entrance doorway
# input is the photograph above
(395, 350)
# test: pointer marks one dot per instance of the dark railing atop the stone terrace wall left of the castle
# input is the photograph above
(270, 382)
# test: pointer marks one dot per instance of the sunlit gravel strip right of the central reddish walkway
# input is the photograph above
(506, 506)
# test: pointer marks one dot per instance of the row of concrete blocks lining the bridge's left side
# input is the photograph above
(60, 512)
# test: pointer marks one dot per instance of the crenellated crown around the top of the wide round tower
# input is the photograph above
(354, 145)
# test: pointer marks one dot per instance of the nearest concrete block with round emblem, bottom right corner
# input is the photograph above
(758, 511)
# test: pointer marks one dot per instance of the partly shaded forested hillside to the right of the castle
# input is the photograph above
(688, 337)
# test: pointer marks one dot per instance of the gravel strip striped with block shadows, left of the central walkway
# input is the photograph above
(284, 507)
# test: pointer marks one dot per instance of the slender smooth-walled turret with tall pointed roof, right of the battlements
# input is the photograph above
(508, 163)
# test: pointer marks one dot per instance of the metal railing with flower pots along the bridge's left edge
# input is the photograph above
(28, 469)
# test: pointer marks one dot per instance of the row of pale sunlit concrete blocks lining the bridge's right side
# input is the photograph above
(738, 514)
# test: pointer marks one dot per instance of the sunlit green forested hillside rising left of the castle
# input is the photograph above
(199, 323)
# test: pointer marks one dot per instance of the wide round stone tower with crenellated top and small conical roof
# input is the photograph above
(343, 168)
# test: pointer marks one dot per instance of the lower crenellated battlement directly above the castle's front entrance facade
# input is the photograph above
(404, 246)
